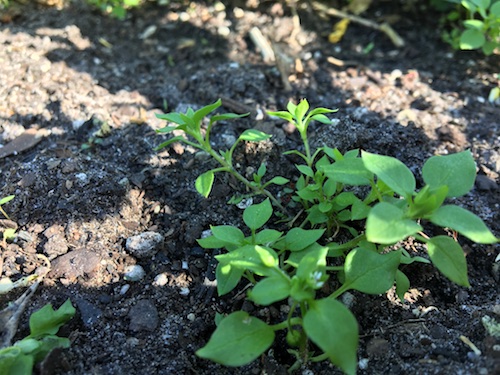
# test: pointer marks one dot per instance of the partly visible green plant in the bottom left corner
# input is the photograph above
(44, 324)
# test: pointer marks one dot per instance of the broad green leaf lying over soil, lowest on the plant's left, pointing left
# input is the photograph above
(238, 340)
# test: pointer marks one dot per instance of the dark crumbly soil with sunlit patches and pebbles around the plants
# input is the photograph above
(78, 97)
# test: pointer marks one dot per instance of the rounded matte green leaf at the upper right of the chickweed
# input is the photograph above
(457, 171)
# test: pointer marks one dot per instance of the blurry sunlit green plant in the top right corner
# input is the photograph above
(475, 25)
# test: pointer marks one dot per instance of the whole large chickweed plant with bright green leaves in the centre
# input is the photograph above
(372, 200)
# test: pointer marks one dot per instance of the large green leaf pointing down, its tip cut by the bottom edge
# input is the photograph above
(331, 326)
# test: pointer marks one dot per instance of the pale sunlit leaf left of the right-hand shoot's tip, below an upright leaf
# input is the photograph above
(386, 224)
